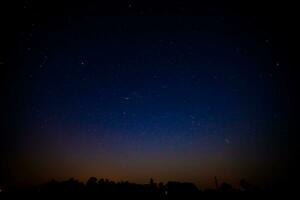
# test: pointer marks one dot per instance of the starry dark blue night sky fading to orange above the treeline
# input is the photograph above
(138, 91)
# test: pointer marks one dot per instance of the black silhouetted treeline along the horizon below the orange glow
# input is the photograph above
(107, 189)
